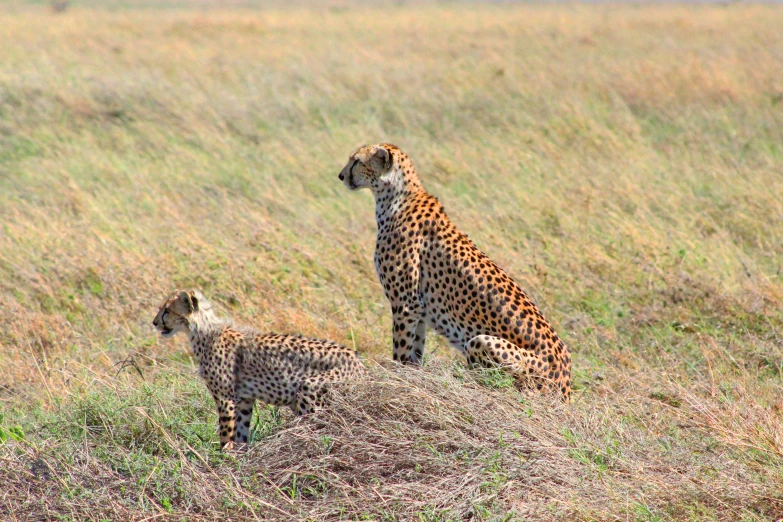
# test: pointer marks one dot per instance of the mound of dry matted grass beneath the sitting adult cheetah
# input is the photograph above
(416, 443)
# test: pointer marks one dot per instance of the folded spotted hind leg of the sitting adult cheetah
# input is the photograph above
(494, 352)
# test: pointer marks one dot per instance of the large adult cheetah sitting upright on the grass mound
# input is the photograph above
(433, 274)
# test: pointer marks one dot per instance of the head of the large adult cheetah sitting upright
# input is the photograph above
(371, 166)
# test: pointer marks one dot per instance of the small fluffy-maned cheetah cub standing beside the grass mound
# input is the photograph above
(241, 365)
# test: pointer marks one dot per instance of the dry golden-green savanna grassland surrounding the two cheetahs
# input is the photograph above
(624, 163)
